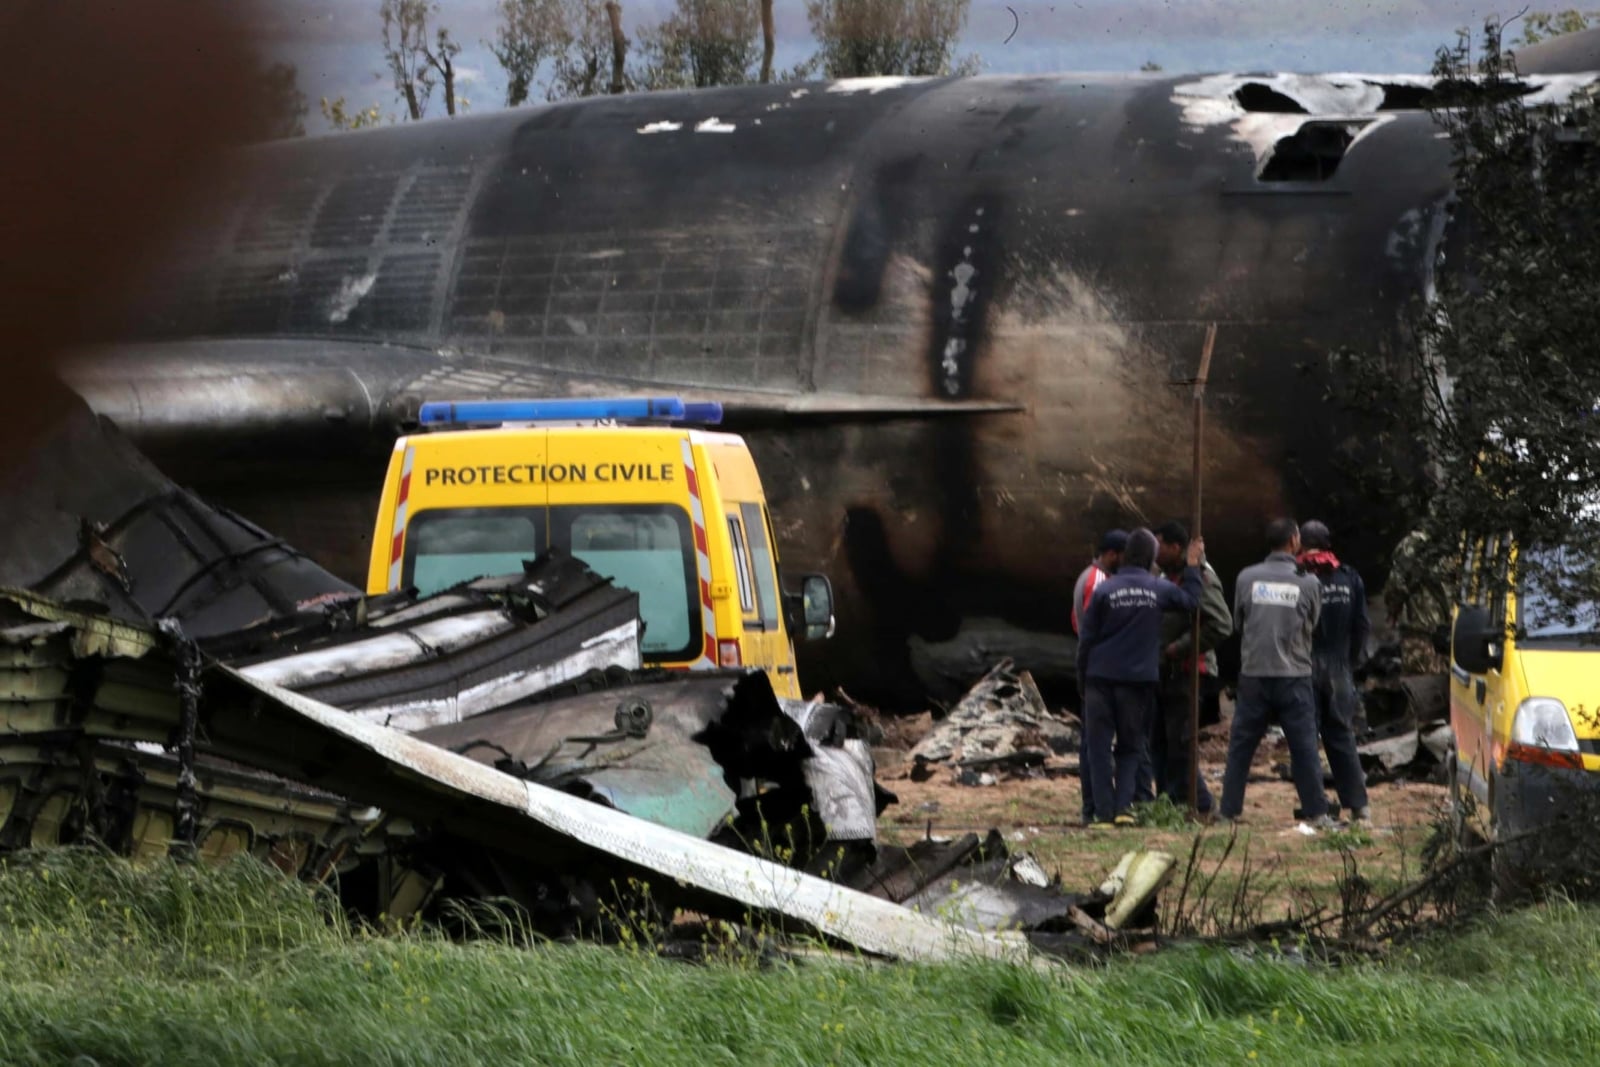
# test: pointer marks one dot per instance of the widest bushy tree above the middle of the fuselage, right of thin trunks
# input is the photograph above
(889, 38)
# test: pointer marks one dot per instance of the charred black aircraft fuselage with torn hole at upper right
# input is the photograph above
(948, 314)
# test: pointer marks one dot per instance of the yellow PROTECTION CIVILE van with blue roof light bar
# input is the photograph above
(673, 513)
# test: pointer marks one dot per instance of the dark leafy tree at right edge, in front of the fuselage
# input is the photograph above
(1500, 391)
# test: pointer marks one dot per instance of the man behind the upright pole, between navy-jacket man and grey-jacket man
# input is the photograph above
(1170, 738)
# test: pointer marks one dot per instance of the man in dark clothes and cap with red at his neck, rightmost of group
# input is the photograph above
(1337, 652)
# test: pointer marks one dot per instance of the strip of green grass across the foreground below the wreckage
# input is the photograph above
(238, 965)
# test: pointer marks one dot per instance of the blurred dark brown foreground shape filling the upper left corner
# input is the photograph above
(121, 111)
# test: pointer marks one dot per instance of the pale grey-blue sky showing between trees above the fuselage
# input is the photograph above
(335, 44)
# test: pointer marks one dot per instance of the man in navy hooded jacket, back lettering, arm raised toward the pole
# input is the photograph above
(1119, 666)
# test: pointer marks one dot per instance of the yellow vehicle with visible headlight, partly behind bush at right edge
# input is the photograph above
(1524, 698)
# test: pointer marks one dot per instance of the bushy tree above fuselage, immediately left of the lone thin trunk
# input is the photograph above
(702, 44)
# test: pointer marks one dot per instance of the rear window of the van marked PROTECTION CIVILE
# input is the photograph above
(644, 548)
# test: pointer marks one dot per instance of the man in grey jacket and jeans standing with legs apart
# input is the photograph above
(1276, 610)
